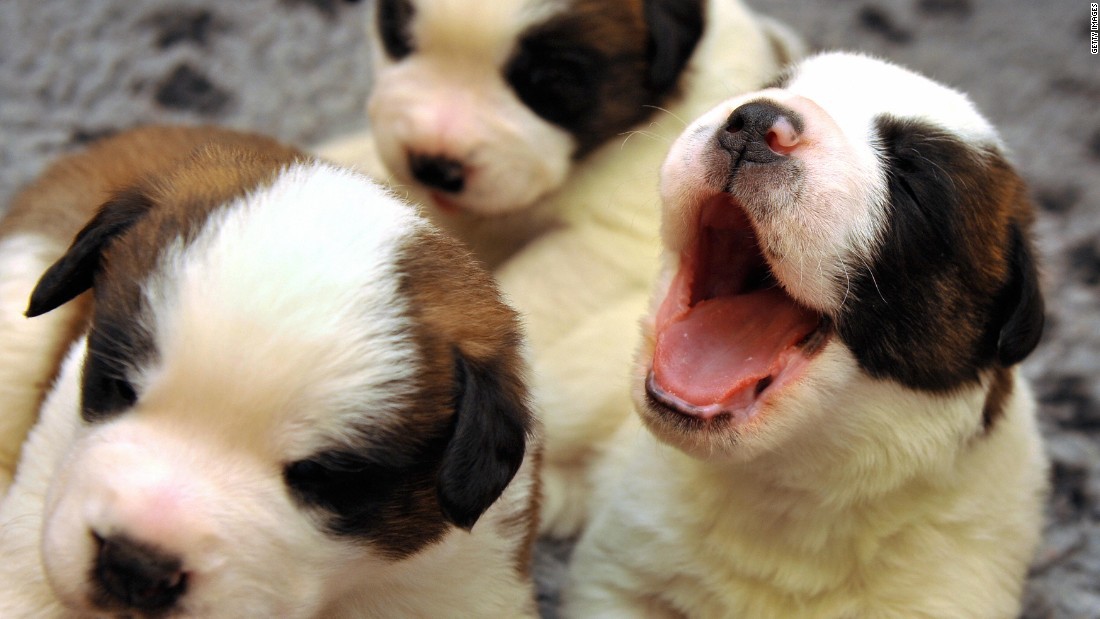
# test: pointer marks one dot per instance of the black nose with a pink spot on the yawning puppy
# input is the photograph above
(762, 131)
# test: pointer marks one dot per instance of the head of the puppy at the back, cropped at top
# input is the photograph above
(488, 105)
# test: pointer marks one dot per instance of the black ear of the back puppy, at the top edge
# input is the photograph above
(675, 29)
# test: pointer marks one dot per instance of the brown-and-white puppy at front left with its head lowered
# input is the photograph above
(292, 397)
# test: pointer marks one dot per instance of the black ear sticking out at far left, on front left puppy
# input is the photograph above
(74, 272)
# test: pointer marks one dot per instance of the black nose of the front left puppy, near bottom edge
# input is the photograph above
(137, 577)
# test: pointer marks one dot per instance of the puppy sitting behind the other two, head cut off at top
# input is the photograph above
(536, 119)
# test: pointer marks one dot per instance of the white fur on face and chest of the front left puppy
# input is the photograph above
(273, 328)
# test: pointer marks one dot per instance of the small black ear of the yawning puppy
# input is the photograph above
(1022, 303)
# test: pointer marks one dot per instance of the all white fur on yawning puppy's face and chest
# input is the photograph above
(848, 496)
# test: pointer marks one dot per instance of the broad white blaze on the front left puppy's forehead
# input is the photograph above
(287, 307)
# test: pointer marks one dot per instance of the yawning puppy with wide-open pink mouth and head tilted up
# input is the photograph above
(837, 423)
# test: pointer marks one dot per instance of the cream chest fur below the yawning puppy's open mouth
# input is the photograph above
(929, 522)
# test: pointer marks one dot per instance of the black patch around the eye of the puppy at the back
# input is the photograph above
(558, 85)
